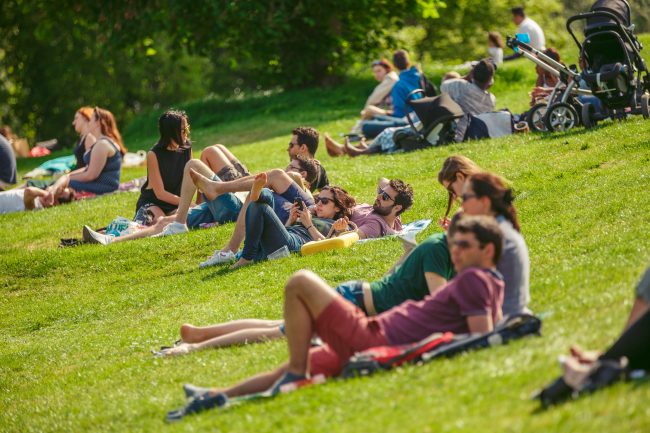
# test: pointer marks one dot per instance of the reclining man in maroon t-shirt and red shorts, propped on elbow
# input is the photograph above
(469, 303)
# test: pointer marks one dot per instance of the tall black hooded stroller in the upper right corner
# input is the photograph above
(612, 65)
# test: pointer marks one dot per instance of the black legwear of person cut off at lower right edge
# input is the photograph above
(633, 344)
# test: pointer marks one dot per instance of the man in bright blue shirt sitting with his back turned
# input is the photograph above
(409, 80)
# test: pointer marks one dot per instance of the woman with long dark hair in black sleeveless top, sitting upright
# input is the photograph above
(160, 194)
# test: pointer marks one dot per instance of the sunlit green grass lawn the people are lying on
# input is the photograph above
(79, 323)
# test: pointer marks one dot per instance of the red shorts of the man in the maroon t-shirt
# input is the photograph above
(346, 330)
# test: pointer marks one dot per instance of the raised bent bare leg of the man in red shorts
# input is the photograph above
(305, 297)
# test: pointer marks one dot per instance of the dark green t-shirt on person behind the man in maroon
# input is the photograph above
(408, 282)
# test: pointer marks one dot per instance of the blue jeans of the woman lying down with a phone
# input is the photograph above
(265, 233)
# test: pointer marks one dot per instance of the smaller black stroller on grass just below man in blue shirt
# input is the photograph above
(437, 122)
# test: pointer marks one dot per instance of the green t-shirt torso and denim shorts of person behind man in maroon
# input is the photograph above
(427, 268)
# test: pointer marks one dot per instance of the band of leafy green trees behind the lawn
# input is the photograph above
(130, 55)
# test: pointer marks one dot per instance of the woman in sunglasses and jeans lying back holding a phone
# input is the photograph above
(266, 234)
